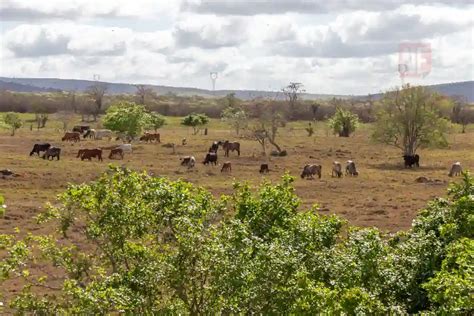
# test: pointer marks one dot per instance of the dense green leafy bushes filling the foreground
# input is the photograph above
(138, 244)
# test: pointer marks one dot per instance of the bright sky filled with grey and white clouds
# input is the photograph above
(339, 46)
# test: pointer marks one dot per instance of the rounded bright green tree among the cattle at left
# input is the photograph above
(126, 117)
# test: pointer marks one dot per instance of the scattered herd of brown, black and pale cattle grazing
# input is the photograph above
(117, 152)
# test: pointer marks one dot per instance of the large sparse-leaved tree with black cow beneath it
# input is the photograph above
(408, 118)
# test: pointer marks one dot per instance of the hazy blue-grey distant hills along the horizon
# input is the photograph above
(465, 89)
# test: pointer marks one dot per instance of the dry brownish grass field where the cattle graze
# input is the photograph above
(384, 195)
